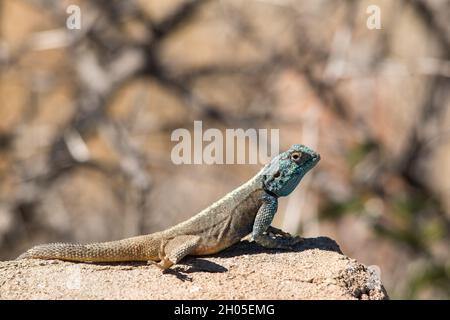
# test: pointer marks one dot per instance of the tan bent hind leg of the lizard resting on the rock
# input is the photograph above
(175, 249)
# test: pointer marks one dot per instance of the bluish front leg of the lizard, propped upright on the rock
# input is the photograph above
(261, 226)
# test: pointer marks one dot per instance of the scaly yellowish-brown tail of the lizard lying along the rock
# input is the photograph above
(141, 248)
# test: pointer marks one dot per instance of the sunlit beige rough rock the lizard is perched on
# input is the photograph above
(316, 269)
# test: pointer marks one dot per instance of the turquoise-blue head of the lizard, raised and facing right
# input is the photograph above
(282, 175)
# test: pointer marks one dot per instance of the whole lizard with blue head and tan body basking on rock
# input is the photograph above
(246, 211)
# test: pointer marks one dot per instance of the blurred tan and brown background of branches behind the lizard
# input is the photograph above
(86, 118)
